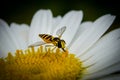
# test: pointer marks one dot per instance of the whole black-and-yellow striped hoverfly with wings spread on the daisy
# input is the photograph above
(55, 41)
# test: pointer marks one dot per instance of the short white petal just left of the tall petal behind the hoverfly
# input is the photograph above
(21, 34)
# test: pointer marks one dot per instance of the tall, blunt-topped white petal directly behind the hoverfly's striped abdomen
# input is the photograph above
(41, 23)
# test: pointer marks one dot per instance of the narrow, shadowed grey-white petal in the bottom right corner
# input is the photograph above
(106, 71)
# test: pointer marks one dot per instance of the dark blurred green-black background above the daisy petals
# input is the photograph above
(22, 11)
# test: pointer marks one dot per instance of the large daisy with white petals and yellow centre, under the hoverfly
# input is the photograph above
(90, 52)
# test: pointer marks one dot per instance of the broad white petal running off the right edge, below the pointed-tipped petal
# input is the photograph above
(105, 53)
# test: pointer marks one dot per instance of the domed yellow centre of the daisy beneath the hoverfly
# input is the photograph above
(40, 64)
